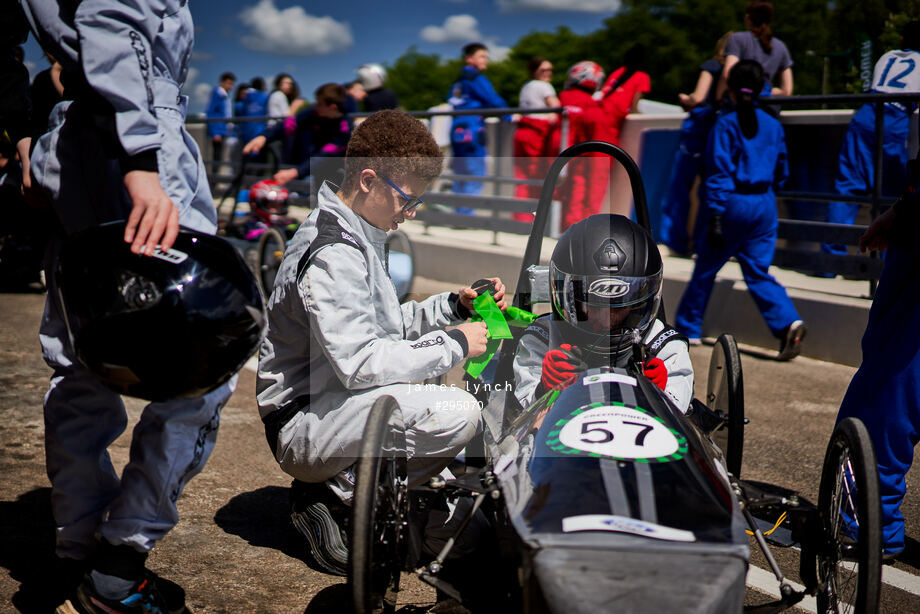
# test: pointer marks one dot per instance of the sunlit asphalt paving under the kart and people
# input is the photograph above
(234, 550)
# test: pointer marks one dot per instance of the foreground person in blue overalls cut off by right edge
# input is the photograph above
(885, 391)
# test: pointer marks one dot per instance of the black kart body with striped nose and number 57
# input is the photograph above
(614, 495)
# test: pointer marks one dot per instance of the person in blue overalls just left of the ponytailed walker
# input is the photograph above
(701, 105)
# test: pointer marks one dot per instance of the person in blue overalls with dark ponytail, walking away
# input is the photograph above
(746, 156)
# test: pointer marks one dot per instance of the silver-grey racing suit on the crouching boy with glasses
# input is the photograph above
(338, 339)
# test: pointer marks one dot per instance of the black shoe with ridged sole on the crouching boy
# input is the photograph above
(319, 515)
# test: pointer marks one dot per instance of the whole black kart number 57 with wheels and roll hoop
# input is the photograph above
(600, 496)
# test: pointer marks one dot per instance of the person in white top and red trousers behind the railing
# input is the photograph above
(536, 140)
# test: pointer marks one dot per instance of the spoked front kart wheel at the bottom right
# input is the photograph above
(849, 574)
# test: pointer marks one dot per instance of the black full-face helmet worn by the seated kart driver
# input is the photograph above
(605, 286)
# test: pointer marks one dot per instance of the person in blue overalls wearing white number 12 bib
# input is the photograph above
(897, 71)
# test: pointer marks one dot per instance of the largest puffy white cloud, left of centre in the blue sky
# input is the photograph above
(292, 31)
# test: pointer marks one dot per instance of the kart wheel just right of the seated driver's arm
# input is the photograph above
(725, 393)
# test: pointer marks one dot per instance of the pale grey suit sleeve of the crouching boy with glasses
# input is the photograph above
(343, 319)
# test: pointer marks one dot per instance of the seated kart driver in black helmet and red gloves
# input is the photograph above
(605, 284)
